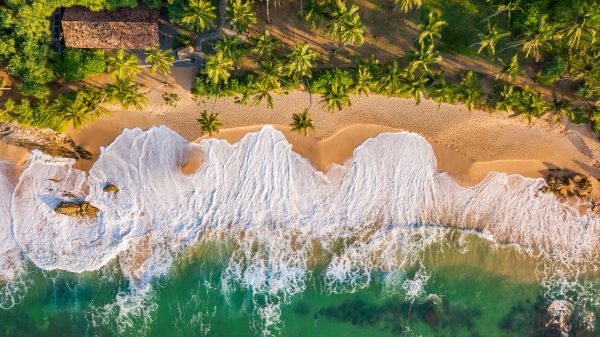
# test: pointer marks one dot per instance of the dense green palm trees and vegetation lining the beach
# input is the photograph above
(557, 40)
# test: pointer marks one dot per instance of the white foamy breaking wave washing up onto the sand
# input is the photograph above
(376, 213)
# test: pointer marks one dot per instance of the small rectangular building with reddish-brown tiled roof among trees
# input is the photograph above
(126, 28)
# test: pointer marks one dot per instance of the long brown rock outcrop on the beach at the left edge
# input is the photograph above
(46, 140)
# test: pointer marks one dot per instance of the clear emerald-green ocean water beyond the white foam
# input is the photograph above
(484, 291)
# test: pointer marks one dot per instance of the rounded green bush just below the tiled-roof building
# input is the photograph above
(78, 64)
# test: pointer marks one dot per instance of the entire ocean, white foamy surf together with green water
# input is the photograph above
(256, 242)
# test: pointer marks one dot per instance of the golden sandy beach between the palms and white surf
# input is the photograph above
(468, 145)
